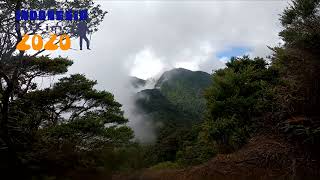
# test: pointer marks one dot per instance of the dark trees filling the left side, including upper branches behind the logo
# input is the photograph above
(67, 127)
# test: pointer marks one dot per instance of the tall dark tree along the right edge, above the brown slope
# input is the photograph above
(298, 62)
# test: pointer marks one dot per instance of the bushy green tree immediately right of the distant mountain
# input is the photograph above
(239, 96)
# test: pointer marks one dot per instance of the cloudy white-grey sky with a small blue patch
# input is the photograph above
(146, 38)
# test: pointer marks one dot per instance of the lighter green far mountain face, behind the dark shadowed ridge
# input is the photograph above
(184, 88)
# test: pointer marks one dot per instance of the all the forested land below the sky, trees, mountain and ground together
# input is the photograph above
(257, 117)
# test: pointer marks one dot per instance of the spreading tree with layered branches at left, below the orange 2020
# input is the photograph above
(68, 126)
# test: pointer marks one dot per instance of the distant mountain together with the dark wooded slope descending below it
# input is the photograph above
(174, 105)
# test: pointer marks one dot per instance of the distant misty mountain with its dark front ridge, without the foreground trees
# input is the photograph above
(176, 97)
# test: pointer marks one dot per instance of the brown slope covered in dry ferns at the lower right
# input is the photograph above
(264, 157)
